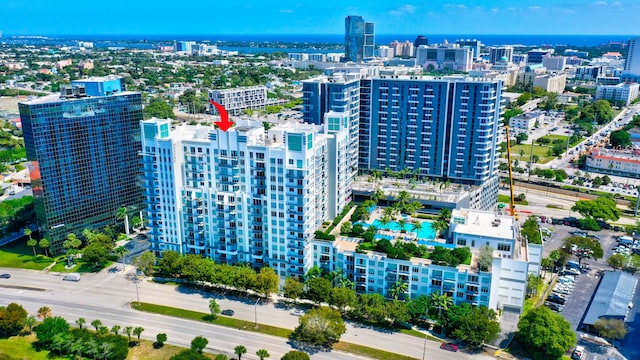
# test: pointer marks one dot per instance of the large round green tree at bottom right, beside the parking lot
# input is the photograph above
(545, 334)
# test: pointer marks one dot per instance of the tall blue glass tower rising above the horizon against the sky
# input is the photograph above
(359, 41)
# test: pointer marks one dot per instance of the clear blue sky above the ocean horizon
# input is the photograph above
(588, 17)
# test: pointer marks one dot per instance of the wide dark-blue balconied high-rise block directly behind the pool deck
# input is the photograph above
(441, 127)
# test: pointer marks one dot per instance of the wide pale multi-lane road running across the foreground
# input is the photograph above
(106, 296)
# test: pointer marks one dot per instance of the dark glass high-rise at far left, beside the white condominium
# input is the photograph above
(83, 146)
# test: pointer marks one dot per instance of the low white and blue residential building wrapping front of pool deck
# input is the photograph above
(502, 287)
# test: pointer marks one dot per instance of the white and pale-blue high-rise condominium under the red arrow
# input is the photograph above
(244, 196)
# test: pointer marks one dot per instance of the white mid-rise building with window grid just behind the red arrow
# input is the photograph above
(237, 100)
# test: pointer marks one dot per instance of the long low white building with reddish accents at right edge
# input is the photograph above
(614, 162)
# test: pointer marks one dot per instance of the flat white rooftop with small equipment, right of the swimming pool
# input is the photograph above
(483, 223)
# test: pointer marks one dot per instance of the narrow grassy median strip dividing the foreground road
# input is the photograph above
(260, 328)
